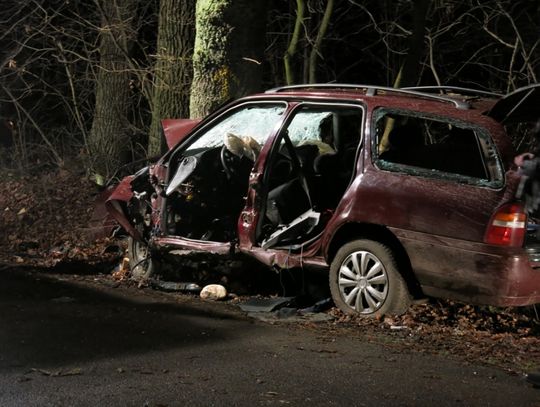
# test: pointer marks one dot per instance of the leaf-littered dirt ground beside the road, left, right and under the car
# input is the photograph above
(46, 228)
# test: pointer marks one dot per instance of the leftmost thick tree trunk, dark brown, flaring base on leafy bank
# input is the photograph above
(108, 142)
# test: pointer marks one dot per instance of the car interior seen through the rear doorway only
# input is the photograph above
(308, 174)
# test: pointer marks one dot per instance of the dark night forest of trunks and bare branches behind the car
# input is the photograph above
(86, 82)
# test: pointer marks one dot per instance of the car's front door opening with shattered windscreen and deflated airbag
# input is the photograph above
(208, 173)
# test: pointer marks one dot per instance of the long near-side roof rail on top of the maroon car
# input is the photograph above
(373, 90)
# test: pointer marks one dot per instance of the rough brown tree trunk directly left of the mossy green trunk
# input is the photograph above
(174, 69)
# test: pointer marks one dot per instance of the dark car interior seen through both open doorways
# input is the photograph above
(306, 174)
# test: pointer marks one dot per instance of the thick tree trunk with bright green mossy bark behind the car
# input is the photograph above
(229, 46)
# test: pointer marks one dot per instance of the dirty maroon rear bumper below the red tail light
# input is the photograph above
(473, 272)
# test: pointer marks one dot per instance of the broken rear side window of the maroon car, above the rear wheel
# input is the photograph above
(435, 147)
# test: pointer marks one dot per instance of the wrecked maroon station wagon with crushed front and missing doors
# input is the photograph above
(395, 193)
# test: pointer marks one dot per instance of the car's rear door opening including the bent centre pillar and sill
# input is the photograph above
(297, 189)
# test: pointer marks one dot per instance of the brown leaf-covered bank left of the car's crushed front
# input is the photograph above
(45, 219)
